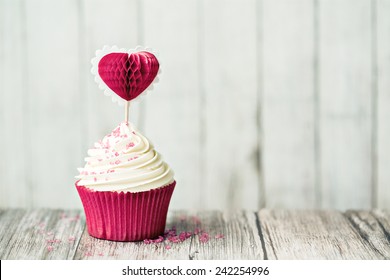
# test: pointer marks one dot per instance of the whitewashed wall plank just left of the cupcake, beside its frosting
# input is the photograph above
(53, 115)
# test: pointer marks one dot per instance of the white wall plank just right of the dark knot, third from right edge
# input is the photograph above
(288, 104)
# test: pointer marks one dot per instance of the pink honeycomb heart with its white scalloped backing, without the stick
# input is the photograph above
(125, 73)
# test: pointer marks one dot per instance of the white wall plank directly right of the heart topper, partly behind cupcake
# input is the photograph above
(173, 108)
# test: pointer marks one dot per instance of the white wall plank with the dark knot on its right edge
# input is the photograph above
(230, 139)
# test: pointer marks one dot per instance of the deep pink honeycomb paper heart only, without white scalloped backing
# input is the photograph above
(128, 75)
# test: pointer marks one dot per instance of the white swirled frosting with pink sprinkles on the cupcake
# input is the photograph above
(124, 161)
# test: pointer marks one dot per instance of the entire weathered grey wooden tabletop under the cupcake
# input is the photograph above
(267, 234)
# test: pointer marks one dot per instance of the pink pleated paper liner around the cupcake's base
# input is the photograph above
(126, 216)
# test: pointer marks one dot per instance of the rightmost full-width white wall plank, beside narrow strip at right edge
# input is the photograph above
(345, 103)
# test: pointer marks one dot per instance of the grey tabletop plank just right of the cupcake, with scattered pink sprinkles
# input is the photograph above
(240, 240)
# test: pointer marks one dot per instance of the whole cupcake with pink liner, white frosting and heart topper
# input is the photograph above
(125, 186)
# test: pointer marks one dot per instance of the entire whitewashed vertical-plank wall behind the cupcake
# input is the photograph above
(272, 103)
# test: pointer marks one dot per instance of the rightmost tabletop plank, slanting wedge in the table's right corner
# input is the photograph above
(371, 230)
